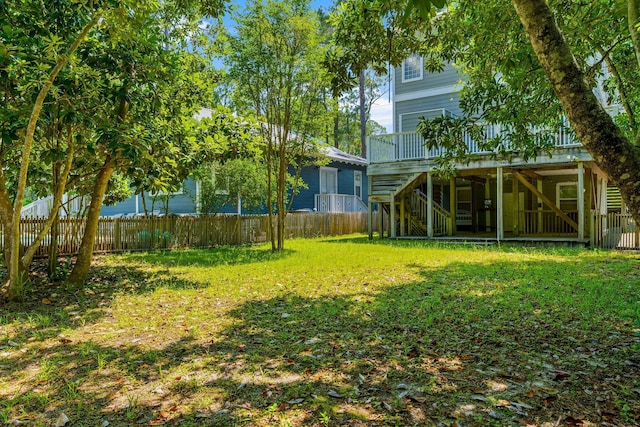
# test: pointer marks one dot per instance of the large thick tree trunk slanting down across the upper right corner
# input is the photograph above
(615, 154)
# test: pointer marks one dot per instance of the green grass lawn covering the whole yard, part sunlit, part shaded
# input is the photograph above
(332, 332)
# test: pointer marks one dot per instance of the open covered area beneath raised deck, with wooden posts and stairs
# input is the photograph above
(546, 203)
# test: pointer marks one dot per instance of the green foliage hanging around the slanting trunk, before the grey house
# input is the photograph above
(505, 84)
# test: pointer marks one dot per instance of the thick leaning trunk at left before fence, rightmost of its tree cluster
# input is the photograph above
(85, 253)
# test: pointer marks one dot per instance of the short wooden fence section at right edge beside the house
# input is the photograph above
(614, 231)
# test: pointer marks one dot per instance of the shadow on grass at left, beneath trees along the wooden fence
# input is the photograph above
(42, 310)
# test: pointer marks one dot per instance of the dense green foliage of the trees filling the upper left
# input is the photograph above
(122, 101)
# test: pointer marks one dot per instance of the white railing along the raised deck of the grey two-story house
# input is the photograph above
(411, 145)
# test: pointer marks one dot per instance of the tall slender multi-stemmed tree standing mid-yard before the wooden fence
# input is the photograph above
(274, 63)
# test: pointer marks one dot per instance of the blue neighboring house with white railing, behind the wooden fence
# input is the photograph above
(338, 186)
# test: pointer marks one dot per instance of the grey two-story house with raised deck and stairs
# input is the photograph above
(547, 198)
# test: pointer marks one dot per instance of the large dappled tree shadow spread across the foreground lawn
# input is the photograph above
(507, 343)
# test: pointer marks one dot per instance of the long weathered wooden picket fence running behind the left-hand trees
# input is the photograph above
(129, 234)
